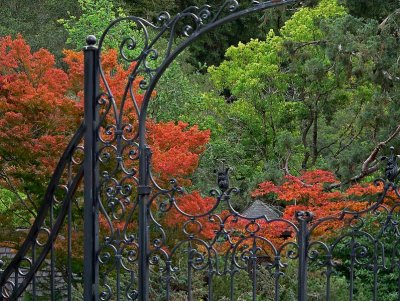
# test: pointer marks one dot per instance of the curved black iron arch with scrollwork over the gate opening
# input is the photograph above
(200, 15)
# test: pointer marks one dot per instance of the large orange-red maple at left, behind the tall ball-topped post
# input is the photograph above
(41, 106)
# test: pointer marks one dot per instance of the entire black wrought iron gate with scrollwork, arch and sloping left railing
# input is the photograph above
(128, 253)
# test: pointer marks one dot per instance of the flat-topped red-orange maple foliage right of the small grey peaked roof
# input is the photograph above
(308, 192)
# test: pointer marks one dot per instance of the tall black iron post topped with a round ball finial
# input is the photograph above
(91, 206)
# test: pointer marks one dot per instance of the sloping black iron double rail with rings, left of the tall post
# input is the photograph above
(8, 288)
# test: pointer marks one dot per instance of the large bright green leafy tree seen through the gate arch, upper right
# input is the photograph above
(312, 96)
